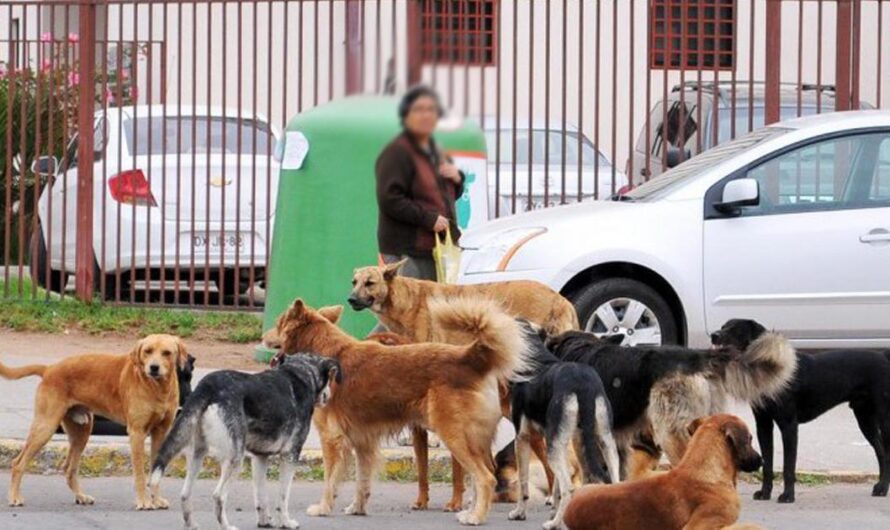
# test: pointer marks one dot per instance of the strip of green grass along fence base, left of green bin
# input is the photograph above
(31, 309)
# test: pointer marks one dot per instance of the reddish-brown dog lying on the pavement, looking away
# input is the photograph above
(698, 493)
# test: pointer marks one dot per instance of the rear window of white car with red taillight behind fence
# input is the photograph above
(171, 135)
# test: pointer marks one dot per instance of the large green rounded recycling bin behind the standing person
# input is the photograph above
(326, 215)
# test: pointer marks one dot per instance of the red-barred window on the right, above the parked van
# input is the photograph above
(692, 34)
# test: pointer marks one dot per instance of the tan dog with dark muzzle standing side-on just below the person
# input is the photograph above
(401, 305)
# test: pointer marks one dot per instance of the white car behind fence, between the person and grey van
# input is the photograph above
(543, 154)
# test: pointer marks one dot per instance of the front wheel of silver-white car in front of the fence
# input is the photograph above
(624, 306)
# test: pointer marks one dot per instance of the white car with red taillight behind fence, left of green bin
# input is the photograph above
(173, 188)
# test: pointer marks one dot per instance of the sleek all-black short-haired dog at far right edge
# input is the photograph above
(822, 381)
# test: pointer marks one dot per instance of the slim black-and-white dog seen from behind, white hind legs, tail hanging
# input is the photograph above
(566, 402)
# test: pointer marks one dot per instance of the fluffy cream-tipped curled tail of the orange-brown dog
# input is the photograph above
(496, 340)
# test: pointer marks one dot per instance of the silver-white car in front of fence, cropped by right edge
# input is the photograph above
(789, 225)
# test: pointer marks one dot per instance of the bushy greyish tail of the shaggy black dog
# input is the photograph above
(763, 370)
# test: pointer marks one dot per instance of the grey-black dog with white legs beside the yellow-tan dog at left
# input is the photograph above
(232, 413)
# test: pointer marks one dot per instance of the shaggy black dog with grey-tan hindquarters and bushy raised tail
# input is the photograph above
(660, 390)
